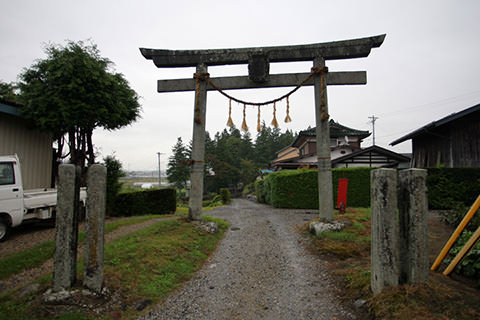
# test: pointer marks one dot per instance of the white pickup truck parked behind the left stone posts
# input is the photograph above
(18, 205)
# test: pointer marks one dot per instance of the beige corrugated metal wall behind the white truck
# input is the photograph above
(32, 147)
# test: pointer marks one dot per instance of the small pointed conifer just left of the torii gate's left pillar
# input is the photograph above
(178, 171)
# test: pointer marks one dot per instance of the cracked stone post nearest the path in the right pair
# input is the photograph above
(385, 247)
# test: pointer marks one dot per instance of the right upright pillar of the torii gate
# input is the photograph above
(325, 189)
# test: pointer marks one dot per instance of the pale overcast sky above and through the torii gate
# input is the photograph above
(428, 66)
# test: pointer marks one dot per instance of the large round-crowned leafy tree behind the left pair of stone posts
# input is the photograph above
(72, 92)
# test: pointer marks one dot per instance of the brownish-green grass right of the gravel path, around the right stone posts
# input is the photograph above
(348, 256)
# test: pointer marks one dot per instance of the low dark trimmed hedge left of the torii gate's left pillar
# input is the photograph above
(158, 201)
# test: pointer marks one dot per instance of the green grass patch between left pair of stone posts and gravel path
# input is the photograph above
(163, 256)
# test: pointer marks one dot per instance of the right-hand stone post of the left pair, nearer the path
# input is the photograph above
(95, 227)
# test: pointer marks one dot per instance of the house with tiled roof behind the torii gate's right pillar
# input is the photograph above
(345, 150)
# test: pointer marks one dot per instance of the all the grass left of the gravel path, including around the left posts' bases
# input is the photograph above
(146, 264)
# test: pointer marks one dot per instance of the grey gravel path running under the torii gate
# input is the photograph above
(261, 270)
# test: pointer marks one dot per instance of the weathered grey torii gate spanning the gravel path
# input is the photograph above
(258, 60)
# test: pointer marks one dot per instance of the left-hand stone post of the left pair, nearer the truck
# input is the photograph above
(66, 229)
